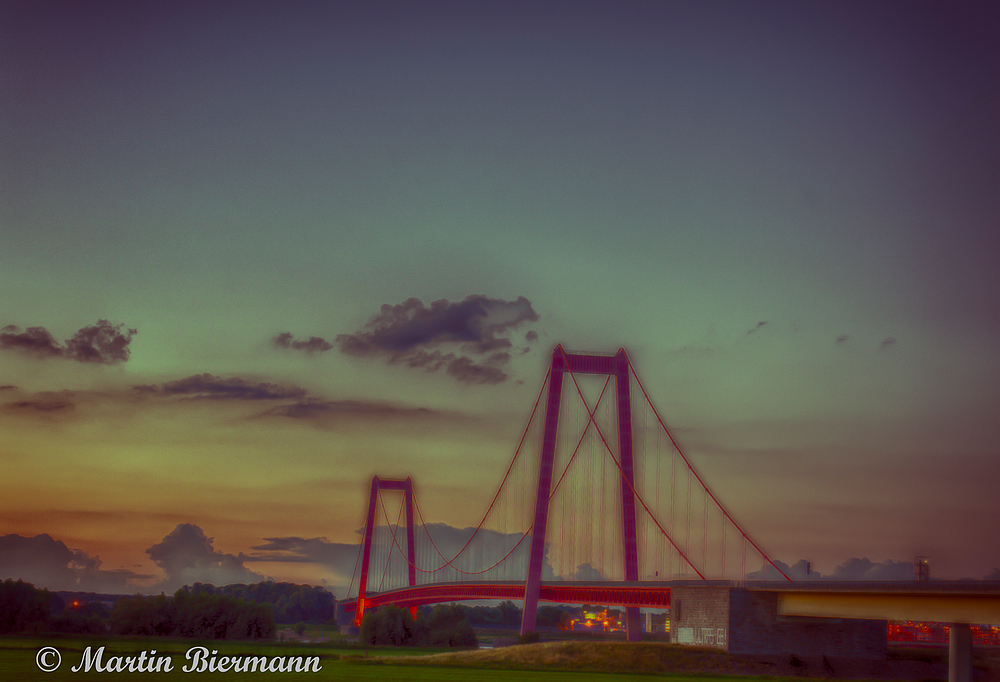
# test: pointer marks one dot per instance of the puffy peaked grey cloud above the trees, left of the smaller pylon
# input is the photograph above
(187, 556)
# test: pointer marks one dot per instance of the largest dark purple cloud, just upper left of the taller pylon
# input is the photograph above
(443, 335)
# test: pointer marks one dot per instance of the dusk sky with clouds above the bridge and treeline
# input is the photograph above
(255, 253)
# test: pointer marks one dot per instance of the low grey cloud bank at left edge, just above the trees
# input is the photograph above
(49, 563)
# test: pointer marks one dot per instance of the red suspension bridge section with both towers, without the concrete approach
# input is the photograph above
(598, 504)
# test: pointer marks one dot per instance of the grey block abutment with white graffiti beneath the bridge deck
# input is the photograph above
(743, 621)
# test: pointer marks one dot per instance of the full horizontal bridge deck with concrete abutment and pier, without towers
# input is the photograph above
(749, 616)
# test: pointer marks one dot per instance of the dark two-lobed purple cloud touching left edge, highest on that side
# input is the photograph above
(102, 343)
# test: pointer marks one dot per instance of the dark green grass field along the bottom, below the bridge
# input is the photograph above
(547, 662)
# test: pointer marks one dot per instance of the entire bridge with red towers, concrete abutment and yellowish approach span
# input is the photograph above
(599, 505)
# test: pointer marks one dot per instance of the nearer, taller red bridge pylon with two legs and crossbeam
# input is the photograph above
(618, 366)
